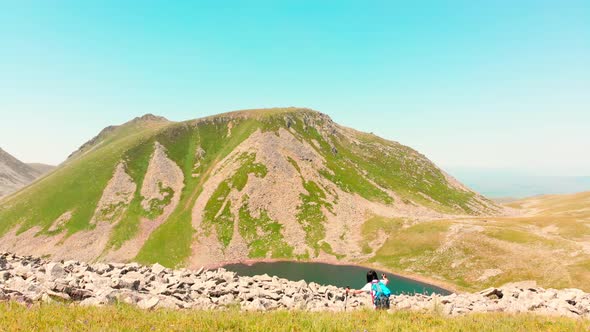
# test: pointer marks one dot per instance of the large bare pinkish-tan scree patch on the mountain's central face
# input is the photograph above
(278, 192)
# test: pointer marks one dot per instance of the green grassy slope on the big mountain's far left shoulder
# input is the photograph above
(78, 185)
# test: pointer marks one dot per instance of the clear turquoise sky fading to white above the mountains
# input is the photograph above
(494, 84)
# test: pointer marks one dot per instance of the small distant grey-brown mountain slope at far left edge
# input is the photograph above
(14, 174)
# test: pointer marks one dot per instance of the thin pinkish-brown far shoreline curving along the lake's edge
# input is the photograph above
(404, 275)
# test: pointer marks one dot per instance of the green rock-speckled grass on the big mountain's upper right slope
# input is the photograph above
(370, 164)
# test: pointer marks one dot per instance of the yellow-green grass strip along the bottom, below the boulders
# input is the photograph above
(61, 317)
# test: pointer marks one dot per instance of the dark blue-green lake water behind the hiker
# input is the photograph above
(328, 274)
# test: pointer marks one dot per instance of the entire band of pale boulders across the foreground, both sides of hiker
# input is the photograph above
(28, 280)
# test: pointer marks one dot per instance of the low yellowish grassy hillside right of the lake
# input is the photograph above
(548, 242)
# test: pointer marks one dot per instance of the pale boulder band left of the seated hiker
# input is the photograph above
(28, 279)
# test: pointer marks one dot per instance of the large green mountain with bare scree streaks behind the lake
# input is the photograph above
(276, 183)
